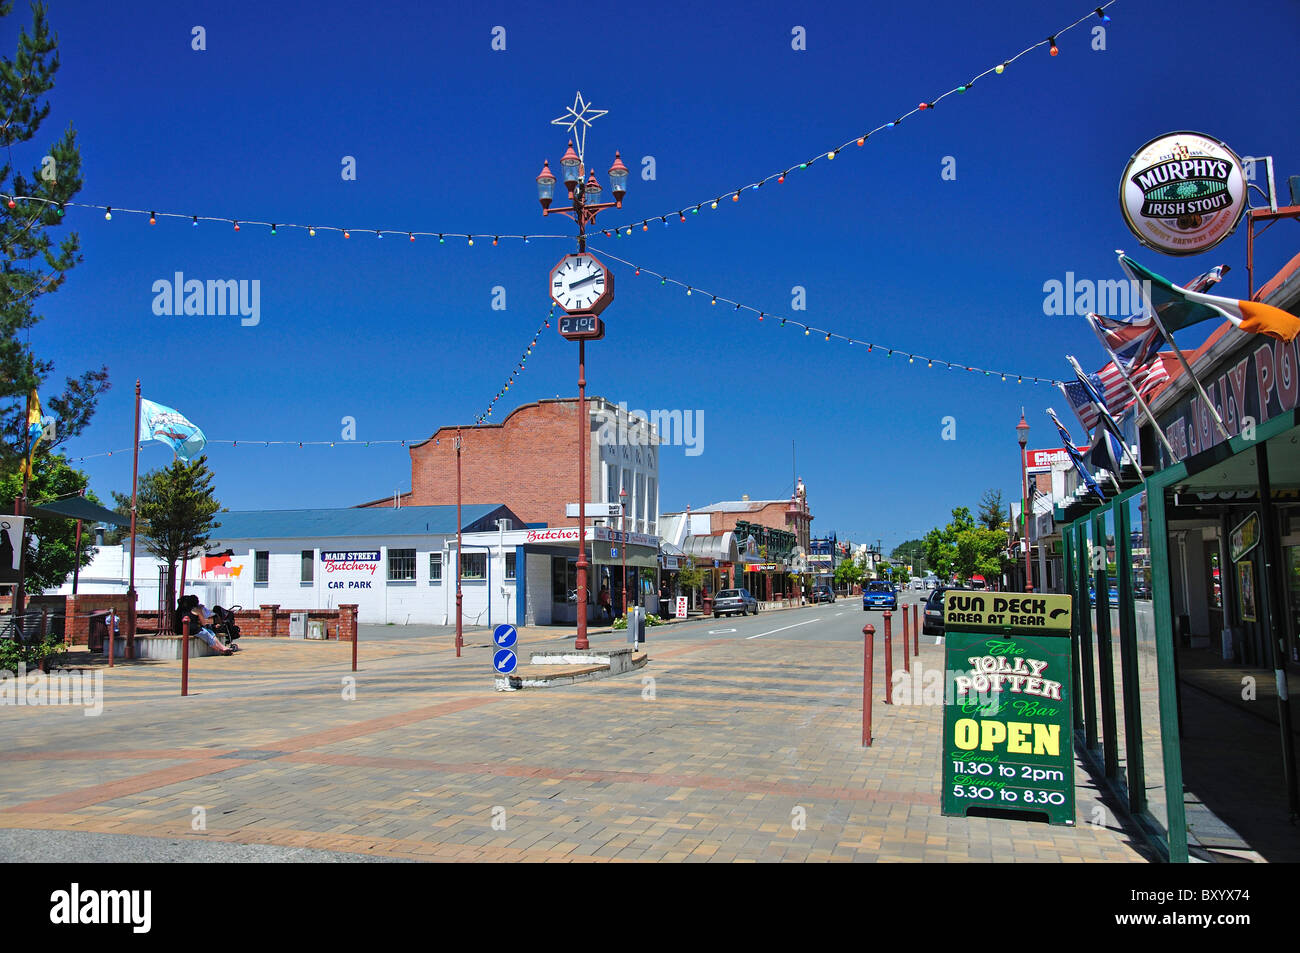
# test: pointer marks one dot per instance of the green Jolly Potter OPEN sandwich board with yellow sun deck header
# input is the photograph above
(1008, 743)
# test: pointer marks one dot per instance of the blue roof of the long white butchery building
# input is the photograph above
(408, 521)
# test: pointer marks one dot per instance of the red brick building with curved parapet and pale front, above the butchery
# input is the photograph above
(527, 463)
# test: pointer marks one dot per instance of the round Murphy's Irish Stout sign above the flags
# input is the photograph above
(1184, 193)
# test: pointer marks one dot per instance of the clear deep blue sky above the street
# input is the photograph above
(448, 136)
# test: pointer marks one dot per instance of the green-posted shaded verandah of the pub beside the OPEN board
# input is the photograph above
(1180, 692)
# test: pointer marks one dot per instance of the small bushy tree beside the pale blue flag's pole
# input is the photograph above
(176, 514)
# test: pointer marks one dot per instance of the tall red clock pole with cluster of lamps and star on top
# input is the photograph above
(586, 205)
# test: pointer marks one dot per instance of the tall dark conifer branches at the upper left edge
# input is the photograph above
(38, 252)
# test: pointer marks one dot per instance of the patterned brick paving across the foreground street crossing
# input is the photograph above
(720, 751)
